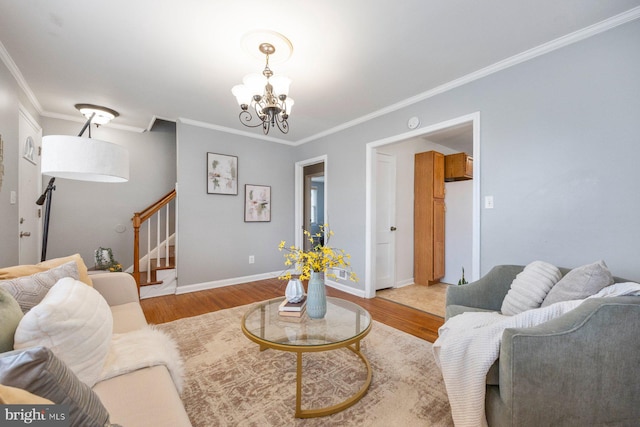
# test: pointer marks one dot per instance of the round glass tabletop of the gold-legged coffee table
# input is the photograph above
(344, 321)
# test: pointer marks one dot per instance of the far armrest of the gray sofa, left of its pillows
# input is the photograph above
(486, 293)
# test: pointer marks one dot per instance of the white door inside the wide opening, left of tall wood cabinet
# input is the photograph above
(385, 220)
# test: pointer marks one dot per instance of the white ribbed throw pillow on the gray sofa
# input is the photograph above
(530, 287)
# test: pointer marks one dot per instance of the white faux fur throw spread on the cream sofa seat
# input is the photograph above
(143, 348)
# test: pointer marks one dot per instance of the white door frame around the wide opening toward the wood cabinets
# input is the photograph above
(370, 201)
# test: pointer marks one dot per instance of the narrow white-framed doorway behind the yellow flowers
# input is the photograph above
(310, 199)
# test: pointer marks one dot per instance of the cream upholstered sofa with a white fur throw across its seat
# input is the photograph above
(145, 397)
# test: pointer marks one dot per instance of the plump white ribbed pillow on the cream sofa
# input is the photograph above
(75, 322)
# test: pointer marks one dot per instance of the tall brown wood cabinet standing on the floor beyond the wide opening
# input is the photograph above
(429, 217)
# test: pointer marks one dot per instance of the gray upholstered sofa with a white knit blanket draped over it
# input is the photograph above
(580, 369)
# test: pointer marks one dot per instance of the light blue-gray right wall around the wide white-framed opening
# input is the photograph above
(559, 149)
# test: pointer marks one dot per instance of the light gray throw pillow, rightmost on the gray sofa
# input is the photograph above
(580, 283)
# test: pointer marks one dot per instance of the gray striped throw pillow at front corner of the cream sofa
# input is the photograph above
(38, 371)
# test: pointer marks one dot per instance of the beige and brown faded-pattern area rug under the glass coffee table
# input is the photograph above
(230, 382)
